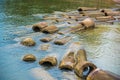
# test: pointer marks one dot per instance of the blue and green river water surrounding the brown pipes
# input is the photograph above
(16, 16)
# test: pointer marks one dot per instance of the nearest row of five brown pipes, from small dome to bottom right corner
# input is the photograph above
(76, 59)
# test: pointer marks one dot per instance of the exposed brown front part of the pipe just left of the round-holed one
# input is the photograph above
(68, 61)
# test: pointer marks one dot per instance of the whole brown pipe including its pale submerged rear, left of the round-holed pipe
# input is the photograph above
(68, 60)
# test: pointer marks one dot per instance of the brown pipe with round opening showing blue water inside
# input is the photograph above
(82, 67)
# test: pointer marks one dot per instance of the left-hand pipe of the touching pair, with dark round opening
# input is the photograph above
(39, 26)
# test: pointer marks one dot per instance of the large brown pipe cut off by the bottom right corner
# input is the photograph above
(99, 74)
